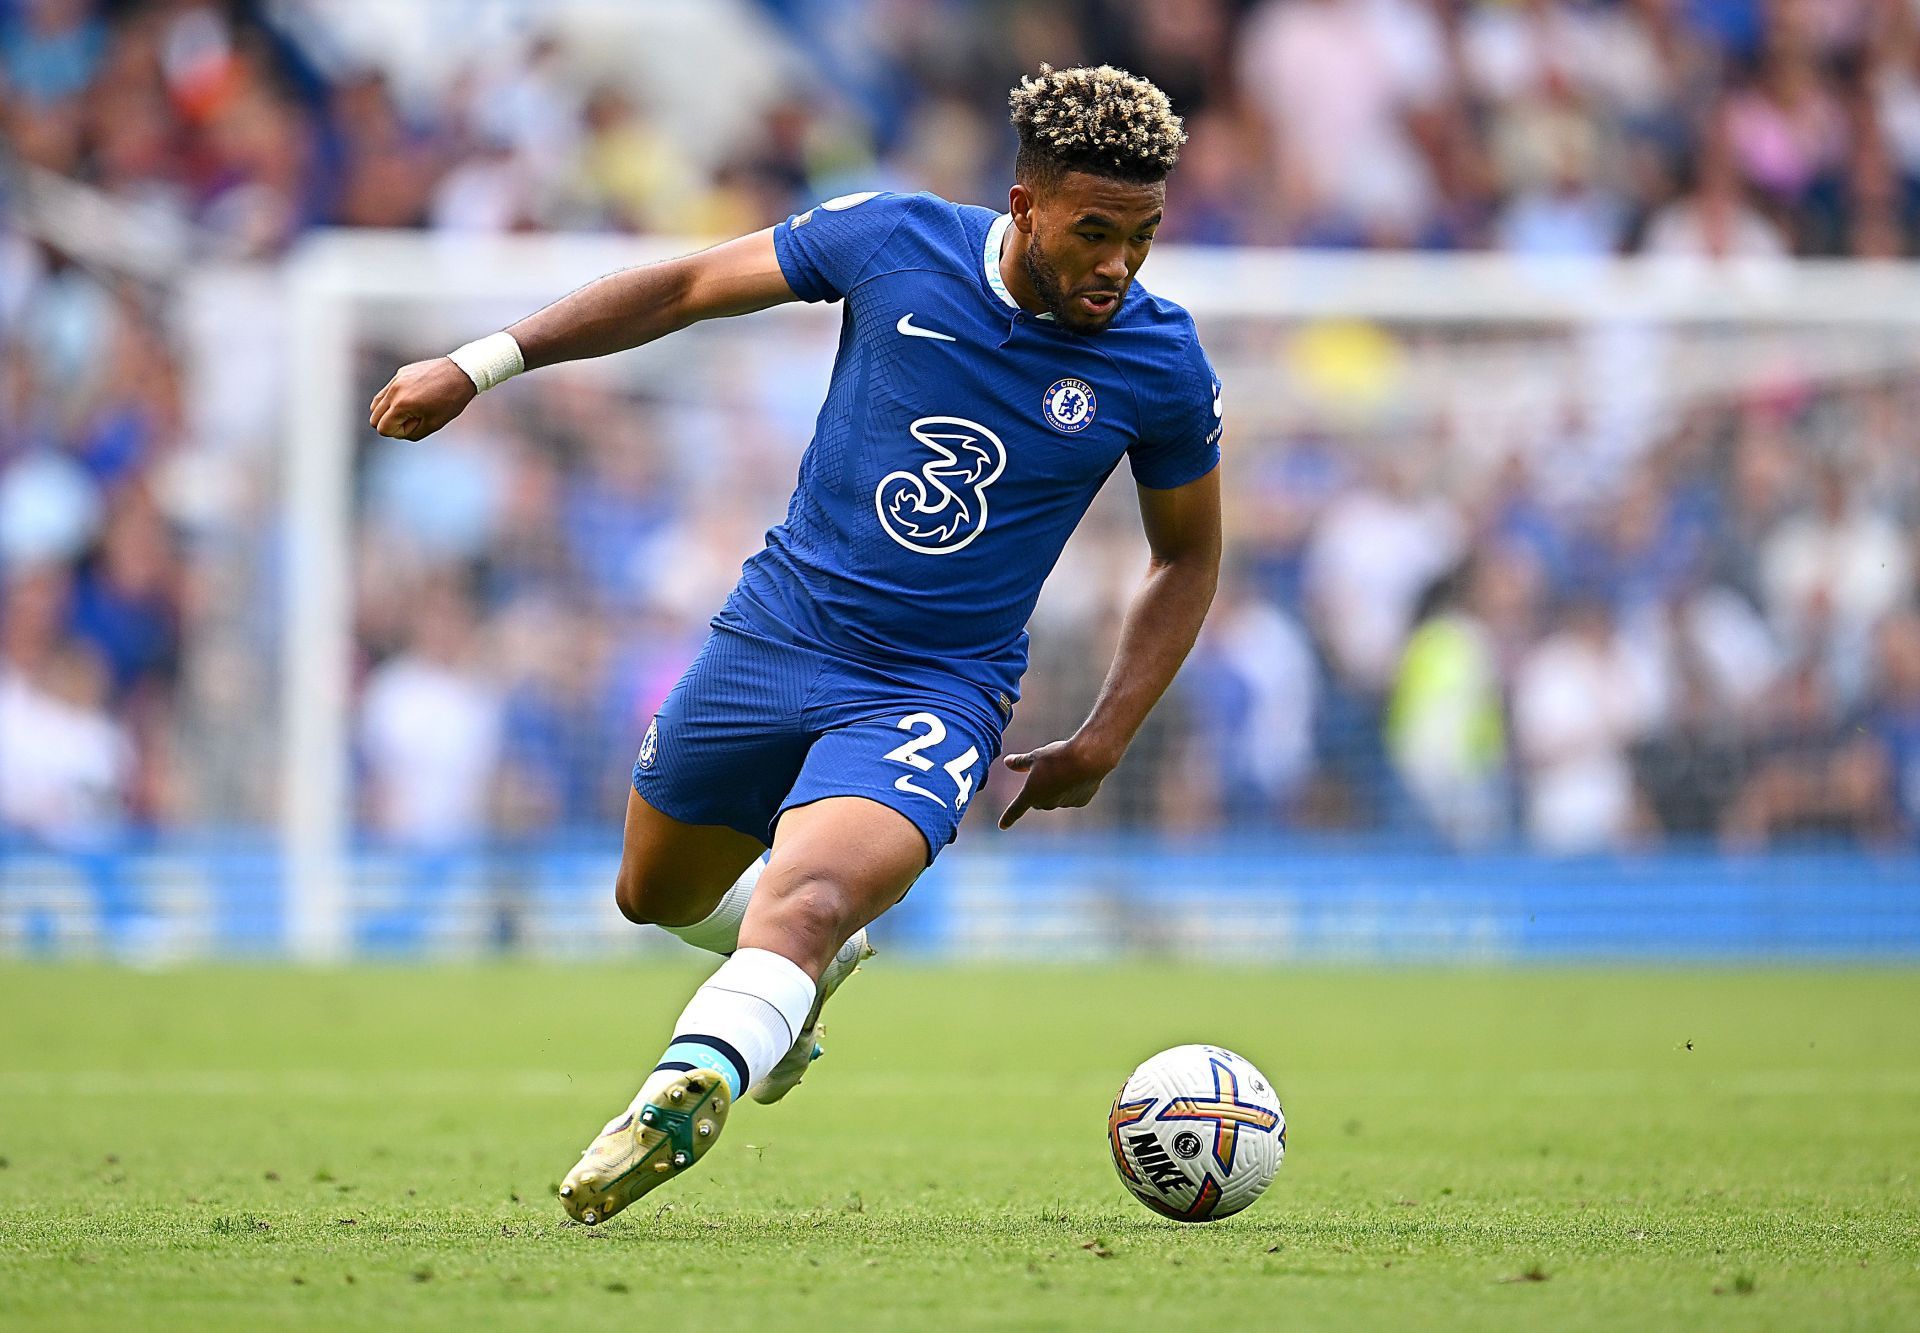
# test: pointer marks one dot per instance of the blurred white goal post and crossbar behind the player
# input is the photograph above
(335, 274)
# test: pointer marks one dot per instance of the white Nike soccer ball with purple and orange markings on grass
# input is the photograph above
(1197, 1134)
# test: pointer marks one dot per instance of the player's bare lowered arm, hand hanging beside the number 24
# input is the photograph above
(1161, 629)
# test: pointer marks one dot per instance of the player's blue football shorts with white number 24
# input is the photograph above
(757, 727)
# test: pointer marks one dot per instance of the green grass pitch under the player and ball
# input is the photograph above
(377, 1148)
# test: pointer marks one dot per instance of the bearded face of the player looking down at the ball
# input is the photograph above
(1086, 241)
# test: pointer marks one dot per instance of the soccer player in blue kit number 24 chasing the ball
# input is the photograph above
(992, 374)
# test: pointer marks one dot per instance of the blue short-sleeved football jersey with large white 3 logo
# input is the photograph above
(961, 441)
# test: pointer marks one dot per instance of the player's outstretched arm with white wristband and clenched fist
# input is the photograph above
(612, 314)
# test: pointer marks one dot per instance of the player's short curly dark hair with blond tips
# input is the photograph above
(1095, 120)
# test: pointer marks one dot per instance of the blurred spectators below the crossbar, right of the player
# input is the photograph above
(1717, 639)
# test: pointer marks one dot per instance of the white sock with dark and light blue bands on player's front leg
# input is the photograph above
(744, 1019)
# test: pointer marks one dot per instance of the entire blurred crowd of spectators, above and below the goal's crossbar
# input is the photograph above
(1714, 637)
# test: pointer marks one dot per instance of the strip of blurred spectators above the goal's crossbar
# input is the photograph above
(1535, 126)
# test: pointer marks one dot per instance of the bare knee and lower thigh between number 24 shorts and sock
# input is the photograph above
(838, 863)
